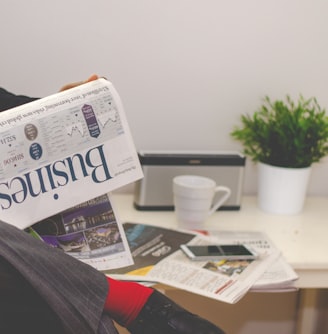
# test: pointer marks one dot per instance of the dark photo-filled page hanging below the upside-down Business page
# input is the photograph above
(90, 232)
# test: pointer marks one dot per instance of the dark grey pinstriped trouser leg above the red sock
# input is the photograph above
(44, 290)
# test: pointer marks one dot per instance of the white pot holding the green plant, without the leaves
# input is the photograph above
(282, 190)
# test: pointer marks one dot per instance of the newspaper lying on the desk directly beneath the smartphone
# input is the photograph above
(158, 258)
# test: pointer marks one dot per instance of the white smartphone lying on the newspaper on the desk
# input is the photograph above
(219, 252)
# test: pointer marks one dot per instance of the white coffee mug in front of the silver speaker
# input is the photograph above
(195, 199)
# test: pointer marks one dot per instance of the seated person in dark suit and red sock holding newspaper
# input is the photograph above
(44, 290)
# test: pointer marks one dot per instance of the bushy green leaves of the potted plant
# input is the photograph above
(285, 133)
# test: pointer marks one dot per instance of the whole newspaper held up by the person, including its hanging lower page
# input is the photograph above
(61, 156)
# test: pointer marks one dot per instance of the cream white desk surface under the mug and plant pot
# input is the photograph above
(302, 238)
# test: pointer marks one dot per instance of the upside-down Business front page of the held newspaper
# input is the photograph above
(62, 150)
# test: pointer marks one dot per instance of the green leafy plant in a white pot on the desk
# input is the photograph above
(284, 137)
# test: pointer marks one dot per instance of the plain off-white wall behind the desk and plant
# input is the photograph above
(185, 69)
